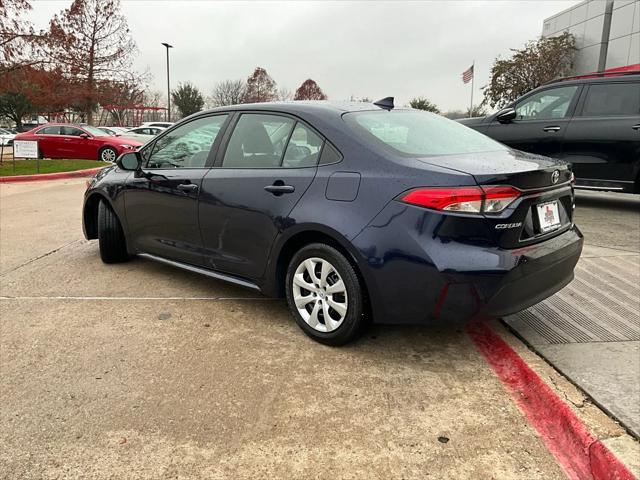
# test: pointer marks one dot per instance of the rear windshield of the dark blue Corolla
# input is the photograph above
(416, 133)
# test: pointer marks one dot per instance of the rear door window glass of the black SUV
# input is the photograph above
(612, 99)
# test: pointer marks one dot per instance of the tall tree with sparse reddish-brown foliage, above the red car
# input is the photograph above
(92, 42)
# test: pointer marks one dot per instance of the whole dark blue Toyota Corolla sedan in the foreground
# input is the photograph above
(349, 211)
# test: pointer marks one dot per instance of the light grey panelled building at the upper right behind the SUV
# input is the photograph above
(607, 33)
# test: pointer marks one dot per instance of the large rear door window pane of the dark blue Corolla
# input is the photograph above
(258, 141)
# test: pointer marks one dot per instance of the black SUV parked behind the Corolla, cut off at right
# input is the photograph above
(592, 121)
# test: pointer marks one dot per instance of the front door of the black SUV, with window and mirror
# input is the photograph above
(541, 121)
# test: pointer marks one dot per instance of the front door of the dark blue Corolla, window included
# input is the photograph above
(161, 201)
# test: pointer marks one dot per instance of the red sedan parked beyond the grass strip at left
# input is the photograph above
(64, 140)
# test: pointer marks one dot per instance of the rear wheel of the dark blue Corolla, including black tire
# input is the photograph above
(344, 306)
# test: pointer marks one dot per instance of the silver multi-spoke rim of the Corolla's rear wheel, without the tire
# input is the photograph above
(320, 294)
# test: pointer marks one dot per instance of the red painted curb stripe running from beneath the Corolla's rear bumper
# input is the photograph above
(580, 454)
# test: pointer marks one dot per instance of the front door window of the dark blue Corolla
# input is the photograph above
(187, 146)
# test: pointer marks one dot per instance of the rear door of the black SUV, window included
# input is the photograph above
(603, 139)
